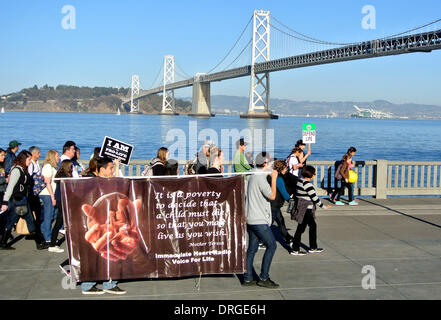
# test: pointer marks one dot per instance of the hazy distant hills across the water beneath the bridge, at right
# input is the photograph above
(341, 109)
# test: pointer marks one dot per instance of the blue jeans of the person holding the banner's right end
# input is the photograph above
(263, 233)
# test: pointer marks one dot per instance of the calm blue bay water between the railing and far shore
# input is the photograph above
(388, 139)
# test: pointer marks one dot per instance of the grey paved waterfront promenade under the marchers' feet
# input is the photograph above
(400, 238)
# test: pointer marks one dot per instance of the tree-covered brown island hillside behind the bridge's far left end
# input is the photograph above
(65, 98)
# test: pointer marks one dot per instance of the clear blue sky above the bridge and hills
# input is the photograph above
(115, 39)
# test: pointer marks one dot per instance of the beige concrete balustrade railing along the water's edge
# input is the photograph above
(377, 178)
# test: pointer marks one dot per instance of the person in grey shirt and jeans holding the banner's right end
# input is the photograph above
(259, 219)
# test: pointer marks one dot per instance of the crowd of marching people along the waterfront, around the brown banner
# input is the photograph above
(31, 191)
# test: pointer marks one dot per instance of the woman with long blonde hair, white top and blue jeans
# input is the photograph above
(48, 194)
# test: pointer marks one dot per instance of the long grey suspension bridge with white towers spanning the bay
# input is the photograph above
(301, 51)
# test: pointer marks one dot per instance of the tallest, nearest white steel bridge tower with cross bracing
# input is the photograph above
(260, 83)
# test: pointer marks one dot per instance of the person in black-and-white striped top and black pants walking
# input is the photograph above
(304, 212)
